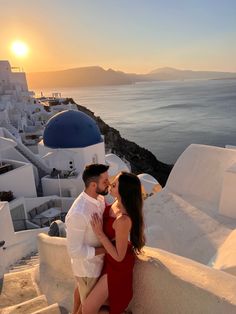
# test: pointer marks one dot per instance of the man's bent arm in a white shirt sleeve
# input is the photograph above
(75, 228)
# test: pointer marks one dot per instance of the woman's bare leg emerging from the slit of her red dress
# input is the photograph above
(96, 298)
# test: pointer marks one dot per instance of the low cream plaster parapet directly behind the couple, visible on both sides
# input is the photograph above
(163, 282)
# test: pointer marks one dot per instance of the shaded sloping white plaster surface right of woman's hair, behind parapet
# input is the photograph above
(175, 225)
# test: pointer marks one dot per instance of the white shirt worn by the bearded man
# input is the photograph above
(81, 240)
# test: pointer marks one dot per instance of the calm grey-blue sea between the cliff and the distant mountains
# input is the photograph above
(165, 117)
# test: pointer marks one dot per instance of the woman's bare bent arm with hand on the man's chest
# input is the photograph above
(122, 227)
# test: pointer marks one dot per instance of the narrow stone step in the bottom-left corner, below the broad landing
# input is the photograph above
(27, 307)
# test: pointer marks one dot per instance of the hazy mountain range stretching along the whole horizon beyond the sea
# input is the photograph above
(97, 76)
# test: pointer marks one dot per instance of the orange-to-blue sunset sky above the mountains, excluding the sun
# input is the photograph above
(127, 35)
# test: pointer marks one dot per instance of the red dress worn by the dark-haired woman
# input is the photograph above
(119, 274)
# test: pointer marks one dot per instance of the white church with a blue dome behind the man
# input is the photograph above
(71, 140)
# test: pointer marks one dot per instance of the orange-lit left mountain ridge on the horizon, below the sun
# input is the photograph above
(86, 76)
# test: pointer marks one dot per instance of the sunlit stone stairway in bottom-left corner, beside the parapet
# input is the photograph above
(19, 292)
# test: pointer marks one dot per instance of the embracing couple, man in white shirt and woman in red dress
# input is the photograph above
(103, 240)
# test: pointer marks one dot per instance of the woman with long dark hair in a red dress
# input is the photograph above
(122, 219)
